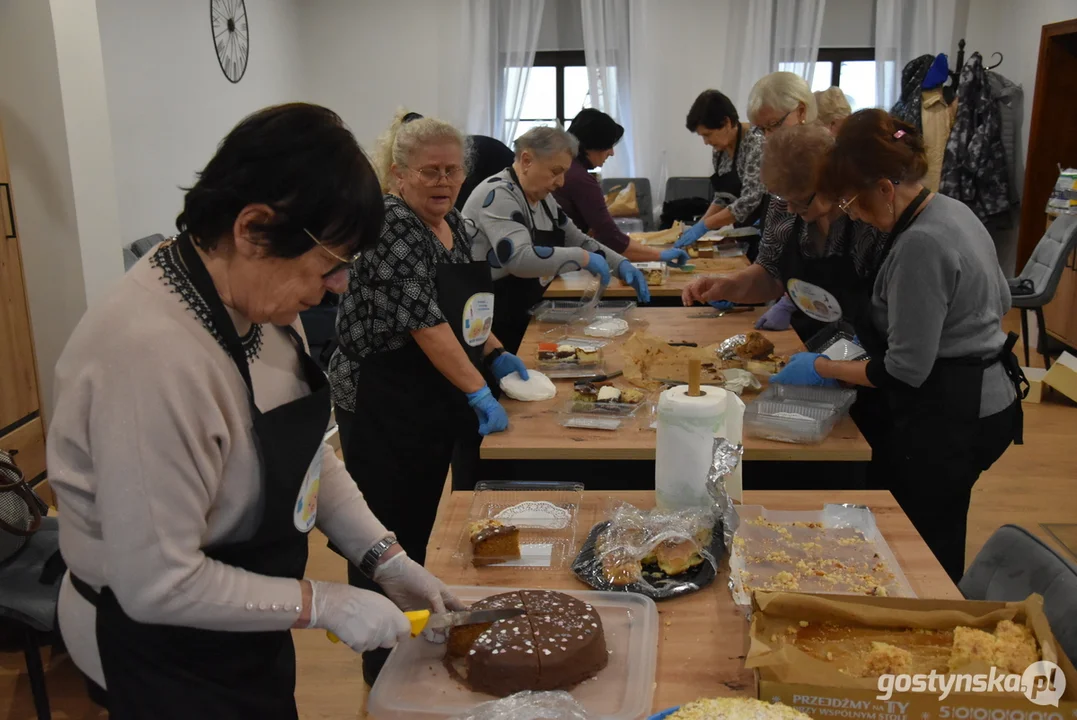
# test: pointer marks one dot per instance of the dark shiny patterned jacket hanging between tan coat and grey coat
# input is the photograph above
(975, 171)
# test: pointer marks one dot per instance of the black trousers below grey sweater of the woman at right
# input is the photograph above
(932, 475)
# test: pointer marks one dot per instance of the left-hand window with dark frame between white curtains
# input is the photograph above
(557, 90)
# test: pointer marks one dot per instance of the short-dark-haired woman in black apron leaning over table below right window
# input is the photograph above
(736, 186)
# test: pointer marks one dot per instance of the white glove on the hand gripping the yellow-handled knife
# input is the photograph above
(361, 619)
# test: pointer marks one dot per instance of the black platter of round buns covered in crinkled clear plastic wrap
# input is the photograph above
(659, 554)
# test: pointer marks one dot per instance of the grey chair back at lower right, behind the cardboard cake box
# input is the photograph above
(1015, 564)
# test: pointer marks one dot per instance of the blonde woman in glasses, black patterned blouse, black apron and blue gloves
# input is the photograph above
(416, 342)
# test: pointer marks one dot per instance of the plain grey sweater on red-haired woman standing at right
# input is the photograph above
(941, 293)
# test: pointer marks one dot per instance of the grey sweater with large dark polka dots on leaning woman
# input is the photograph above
(501, 210)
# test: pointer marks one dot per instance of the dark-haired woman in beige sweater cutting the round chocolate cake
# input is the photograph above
(187, 444)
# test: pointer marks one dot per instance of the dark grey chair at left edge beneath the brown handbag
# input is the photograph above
(29, 596)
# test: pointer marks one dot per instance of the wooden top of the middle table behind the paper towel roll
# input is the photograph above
(535, 430)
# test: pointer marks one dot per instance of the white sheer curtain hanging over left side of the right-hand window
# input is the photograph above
(770, 36)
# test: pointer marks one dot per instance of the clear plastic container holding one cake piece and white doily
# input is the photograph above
(522, 525)
